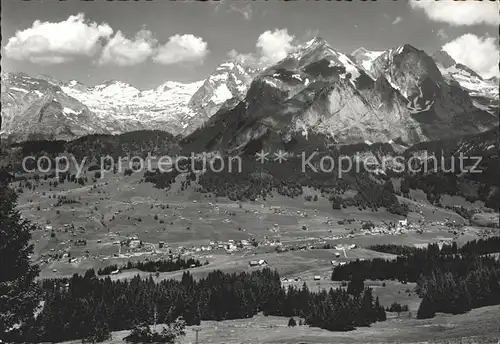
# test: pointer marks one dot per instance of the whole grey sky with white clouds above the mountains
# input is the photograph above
(146, 43)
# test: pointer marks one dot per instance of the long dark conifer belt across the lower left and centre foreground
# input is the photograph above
(76, 307)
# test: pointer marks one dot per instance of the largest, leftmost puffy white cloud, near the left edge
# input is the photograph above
(51, 43)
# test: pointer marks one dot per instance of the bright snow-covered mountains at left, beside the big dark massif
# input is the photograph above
(116, 107)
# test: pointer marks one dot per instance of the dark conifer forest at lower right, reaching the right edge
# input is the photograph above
(449, 280)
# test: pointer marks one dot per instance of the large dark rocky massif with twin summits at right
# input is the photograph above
(318, 96)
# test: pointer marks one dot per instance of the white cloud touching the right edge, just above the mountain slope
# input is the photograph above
(479, 53)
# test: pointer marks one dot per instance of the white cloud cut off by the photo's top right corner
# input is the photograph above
(460, 12)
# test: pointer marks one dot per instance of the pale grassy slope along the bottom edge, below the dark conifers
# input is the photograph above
(477, 327)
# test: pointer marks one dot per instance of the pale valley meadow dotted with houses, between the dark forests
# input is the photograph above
(112, 232)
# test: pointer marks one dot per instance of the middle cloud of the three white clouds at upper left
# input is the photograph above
(128, 52)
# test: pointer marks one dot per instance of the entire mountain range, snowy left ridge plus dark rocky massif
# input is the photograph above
(316, 94)
